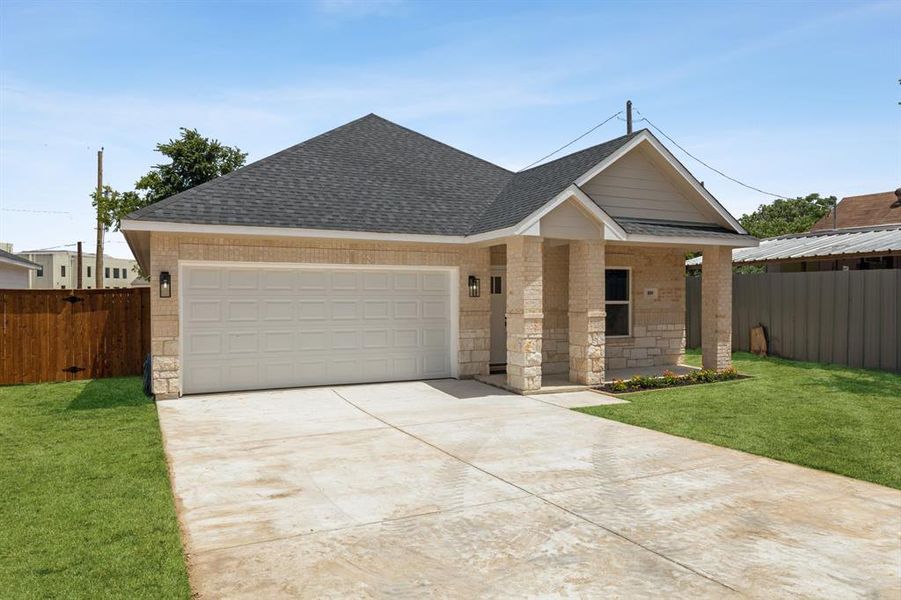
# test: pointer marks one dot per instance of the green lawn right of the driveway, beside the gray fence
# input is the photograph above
(823, 416)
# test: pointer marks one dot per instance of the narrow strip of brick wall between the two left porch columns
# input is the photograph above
(555, 330)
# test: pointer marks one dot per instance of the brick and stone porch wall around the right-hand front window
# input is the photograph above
(658, 324)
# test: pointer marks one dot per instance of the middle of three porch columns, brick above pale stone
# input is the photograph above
(587, 317)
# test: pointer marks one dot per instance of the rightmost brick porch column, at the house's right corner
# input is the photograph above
(716, 308)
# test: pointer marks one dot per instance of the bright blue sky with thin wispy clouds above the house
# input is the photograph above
(793, 98)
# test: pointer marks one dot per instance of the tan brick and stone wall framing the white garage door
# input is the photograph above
(166, 249)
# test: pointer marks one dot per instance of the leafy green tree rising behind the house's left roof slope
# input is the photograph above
(194, 159)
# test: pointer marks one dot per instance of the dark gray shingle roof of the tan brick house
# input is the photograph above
(376, 176)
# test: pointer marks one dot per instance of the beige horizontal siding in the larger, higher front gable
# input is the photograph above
(635, 187)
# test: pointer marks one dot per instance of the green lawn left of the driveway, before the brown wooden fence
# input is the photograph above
(86, 508)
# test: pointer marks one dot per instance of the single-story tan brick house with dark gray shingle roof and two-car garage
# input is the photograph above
(374, 253)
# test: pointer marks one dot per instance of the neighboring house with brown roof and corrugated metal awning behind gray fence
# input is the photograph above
(867, 235)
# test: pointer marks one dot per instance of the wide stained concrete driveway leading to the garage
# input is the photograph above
(456, 489)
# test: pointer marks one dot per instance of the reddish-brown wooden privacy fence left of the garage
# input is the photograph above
(61, 335)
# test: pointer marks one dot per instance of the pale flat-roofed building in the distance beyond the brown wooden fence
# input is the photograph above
(58, 270)
